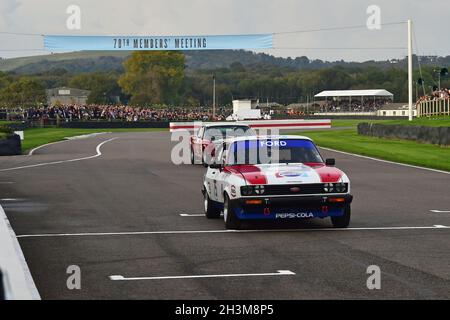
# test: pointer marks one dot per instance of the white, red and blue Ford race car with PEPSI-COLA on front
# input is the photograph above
(275, 178)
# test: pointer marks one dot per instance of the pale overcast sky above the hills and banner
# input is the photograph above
(202, 17)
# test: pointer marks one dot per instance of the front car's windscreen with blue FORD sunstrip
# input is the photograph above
(273, 151)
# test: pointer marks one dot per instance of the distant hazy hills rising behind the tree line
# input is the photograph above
(90, 61)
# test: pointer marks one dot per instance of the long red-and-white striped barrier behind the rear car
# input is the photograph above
(296, 124)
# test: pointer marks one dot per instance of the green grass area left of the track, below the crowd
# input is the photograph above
(36, 137)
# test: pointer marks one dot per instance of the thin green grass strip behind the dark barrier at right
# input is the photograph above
(433, 122)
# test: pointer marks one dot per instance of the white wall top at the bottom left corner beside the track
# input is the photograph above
(17, 280)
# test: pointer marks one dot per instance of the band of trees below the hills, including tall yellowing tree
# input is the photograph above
(161, 78)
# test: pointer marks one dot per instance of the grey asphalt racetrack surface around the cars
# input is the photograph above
(133, 187)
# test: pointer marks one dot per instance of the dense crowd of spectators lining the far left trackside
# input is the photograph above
(112, 113)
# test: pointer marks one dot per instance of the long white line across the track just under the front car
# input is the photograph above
(136, 233)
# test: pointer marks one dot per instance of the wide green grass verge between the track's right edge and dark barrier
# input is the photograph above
(403, 151)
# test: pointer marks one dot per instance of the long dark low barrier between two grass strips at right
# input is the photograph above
(426, 134)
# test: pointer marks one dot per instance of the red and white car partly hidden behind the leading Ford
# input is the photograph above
(202, 142)
